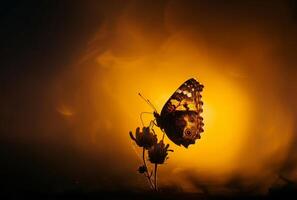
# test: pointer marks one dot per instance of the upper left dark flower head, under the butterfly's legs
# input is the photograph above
(145, 139)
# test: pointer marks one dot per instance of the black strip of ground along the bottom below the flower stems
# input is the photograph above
(286, 192)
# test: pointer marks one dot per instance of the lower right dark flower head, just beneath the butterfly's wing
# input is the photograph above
(158, 152)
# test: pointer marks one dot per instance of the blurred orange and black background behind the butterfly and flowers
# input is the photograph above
(70, 75)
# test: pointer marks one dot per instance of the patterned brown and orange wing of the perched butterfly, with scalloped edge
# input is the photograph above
(180, 116)
